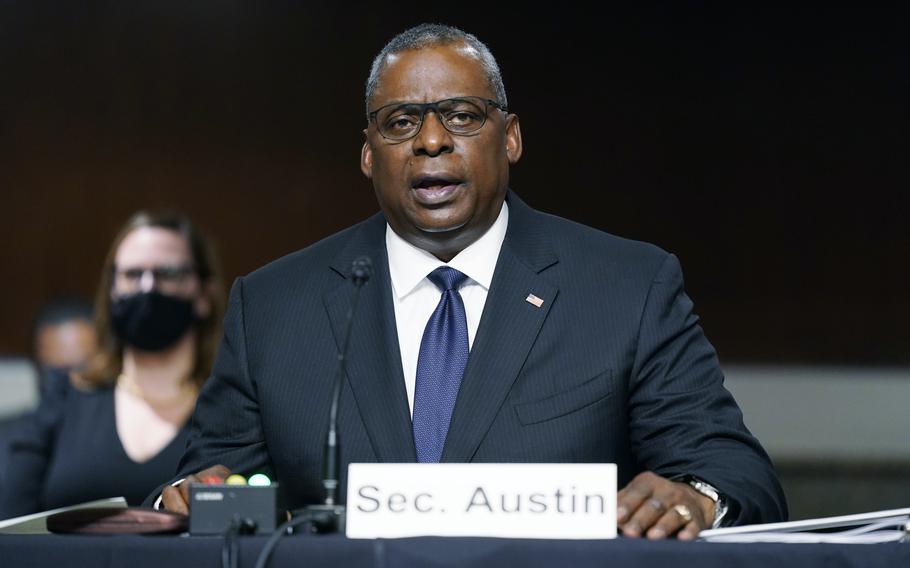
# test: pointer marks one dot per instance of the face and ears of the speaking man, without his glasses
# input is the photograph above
(440, 191)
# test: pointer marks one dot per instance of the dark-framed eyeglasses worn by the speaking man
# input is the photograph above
(462, 115)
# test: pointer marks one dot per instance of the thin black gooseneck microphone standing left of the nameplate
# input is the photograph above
(328, 516)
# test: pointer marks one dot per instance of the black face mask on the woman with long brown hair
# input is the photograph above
(151, 321)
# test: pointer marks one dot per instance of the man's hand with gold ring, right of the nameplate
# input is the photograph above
(656, 507)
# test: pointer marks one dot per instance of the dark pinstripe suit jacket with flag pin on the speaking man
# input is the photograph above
(613, 367)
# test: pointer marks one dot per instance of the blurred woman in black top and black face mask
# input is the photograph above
(159, 309)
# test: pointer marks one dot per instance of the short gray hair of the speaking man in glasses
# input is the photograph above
(427, 35)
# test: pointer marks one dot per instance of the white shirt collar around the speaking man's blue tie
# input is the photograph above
(409, 265)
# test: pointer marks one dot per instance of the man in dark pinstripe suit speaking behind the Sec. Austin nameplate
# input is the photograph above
(539, 340)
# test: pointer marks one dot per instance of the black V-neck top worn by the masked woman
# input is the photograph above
(69, 452)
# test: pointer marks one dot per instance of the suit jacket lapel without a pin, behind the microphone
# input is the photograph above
(373, 363)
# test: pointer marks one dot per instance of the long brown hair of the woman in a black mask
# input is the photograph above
(107, 365)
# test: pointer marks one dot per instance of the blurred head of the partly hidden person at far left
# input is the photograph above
(63, 339)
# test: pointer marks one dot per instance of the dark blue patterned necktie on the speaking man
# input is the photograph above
(440, 365)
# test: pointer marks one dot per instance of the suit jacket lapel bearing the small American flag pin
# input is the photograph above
(508, 328)
